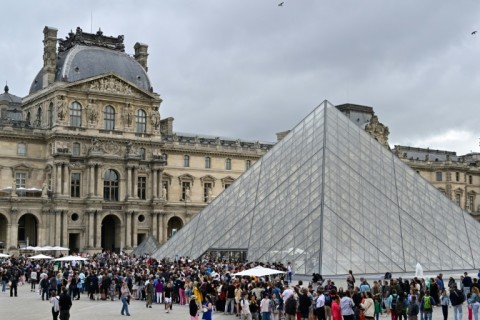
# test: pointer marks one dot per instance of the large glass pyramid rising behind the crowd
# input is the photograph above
(329, 198)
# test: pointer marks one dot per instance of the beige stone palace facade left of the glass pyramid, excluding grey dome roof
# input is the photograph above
(90, 164)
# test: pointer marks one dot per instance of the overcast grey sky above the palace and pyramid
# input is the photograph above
(249, 69)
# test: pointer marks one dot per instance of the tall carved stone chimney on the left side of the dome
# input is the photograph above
(49, 55)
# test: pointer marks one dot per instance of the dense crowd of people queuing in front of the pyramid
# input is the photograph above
(207, 287)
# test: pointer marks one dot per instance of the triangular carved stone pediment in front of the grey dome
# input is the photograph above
(110, 84)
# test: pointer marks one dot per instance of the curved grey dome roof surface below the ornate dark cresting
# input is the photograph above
(82, 62)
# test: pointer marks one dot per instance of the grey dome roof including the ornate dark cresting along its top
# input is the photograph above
(79, 58)
